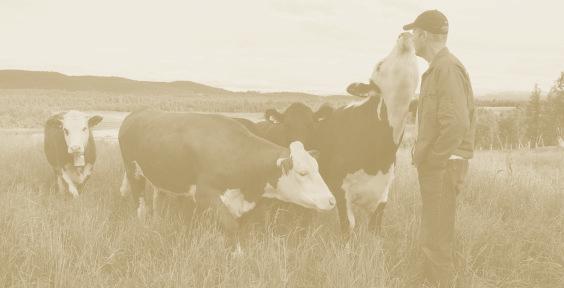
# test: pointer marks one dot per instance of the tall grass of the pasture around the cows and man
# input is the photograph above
(510, 233)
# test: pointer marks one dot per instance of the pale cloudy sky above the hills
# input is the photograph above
(316, 46)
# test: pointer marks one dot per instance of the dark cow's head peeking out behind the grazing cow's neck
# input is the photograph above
(296, 123)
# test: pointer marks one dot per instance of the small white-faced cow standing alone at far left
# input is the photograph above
(70, 149)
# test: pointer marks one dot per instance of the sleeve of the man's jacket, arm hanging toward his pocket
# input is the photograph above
(452, 115)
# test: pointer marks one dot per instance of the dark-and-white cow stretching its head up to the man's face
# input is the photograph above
(358, 142)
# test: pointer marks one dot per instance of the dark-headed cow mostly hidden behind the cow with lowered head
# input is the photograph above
(296, 123)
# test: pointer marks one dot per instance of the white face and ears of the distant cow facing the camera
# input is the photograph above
(75, 126)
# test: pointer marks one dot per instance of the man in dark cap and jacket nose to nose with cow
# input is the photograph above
(445, 143)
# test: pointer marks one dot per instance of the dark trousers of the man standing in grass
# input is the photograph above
(439, 188)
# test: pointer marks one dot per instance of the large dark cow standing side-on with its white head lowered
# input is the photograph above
(217, 161)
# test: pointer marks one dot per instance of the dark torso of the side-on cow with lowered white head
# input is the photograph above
(174, 149)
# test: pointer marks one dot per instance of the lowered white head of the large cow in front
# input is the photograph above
(300, 182)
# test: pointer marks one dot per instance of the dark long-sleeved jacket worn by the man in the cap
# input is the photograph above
(446, 117)
